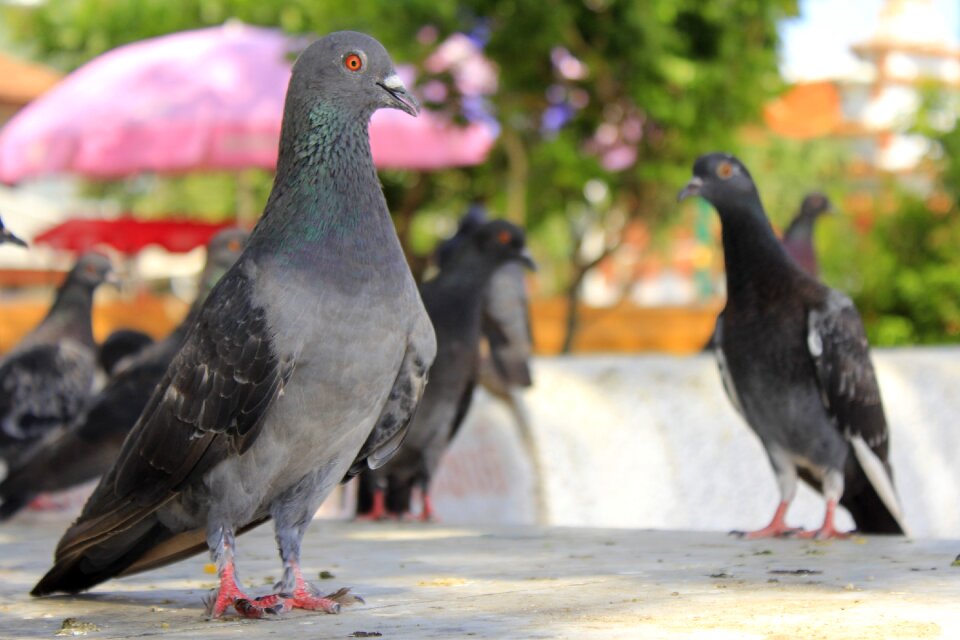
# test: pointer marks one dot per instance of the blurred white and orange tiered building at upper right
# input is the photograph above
(912, 51)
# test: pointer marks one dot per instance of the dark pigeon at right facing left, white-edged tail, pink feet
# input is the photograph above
(795, 363)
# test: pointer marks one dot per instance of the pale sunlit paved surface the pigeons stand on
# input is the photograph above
(435, 581)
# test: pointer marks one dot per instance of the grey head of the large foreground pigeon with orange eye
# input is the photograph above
(352, 71)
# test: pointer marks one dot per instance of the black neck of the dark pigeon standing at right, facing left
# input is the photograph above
(756, 263)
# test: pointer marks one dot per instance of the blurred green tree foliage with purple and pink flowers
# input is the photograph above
(662, 79)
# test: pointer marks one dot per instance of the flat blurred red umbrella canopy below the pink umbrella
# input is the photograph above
(129, 235)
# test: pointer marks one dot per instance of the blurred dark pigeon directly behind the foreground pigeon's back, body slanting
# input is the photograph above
(88, 447)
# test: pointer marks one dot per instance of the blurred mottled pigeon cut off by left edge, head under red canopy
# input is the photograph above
(47, 377)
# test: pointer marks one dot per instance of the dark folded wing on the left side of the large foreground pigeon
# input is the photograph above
(209, 405)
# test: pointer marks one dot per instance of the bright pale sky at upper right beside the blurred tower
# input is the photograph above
(817, 43)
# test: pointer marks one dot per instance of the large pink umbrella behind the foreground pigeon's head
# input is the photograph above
(204, 99)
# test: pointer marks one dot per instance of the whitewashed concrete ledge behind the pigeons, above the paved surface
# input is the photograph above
(652, 441)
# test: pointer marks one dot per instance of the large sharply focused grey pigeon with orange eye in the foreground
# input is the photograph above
(302, 367)
